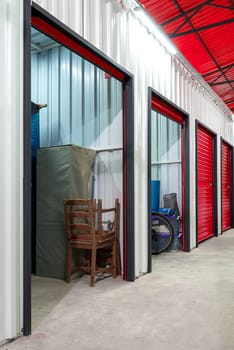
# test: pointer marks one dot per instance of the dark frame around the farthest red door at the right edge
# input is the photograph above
(232, 182)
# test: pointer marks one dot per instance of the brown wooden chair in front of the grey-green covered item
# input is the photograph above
(84, 224)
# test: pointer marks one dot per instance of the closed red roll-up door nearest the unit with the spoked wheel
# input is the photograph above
(205, 183)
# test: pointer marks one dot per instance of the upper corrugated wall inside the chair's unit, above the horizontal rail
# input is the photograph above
(84, 106)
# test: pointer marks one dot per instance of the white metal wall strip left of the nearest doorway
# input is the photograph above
(11, 174)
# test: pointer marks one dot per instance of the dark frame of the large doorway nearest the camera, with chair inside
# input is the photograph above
(53, 27)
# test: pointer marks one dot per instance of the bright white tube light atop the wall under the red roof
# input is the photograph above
(151, 26)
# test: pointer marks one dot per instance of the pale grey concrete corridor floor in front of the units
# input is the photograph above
(187, 303)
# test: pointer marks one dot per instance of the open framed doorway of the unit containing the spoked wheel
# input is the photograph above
(168, 173)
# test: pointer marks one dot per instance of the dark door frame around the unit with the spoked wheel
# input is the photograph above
(172, 111)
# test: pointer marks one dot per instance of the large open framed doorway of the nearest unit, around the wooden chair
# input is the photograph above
(79, 102)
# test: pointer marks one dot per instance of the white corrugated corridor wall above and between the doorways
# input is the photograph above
(121, 36)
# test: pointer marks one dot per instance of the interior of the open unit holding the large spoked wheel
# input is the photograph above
(166, 177)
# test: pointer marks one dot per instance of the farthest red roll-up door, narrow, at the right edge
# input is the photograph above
(226, 186)
